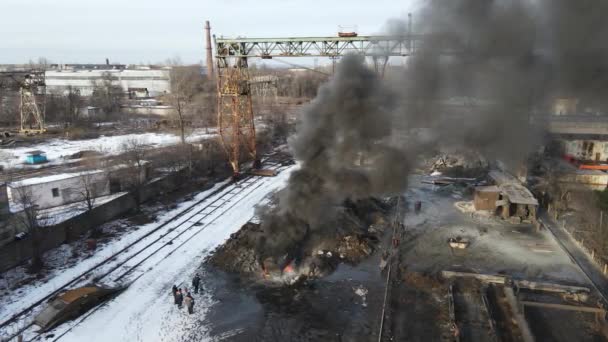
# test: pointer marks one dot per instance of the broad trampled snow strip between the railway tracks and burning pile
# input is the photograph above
(145, 311)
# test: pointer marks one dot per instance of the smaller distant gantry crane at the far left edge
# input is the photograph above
(32, 92)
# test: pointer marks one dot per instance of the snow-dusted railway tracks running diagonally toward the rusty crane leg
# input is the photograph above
(187, 224)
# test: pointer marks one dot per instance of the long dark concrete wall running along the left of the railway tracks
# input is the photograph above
(18, 252)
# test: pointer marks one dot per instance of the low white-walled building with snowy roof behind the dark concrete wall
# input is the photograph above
(68, 190)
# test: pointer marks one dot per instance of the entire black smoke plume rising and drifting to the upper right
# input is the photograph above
(481, 79)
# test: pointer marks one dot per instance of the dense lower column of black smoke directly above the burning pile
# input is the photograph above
(344, 149)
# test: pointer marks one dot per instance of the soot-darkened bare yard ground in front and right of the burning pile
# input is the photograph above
(329, 309)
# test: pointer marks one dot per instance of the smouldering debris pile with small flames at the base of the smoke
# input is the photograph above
(356, 231)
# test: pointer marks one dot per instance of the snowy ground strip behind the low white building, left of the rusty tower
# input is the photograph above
(57, 149)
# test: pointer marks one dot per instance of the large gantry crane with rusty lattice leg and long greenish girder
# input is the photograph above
(235, 112)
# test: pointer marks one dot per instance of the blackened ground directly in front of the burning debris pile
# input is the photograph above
(326, 309)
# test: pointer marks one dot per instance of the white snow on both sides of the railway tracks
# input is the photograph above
(144, 312)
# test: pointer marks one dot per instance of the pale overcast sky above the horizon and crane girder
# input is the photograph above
(151, 31)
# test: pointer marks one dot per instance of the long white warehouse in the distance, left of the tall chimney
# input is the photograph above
(84, 77)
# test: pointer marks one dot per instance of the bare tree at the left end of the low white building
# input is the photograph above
(29, 217)
